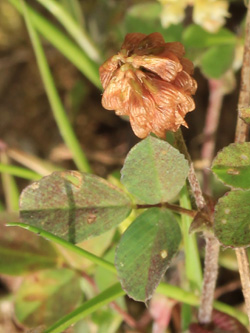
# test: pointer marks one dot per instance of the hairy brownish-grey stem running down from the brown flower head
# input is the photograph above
(212, 245)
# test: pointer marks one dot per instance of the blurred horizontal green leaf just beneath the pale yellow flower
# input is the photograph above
(196, 37)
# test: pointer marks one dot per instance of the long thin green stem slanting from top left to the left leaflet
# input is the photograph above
(54, 99)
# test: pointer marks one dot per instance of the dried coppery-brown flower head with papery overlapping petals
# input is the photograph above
(149, 80)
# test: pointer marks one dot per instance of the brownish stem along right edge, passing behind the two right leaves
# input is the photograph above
(241, 136)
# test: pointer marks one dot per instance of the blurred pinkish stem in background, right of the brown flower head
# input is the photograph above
(211, 124)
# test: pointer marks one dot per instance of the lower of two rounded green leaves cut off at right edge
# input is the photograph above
(232, 219)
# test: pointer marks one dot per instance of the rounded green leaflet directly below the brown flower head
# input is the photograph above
(154, 171)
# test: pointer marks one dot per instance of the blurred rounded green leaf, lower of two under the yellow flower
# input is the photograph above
(217, 60)
